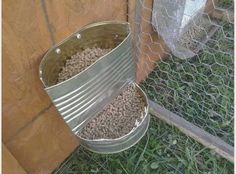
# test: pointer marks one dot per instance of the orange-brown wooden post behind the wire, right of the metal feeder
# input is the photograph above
(149, 46)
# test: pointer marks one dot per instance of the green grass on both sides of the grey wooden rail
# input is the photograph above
(199, 89)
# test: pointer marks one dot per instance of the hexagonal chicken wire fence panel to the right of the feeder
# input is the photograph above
(193, 73)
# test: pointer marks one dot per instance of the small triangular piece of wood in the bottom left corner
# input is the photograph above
(9, 164)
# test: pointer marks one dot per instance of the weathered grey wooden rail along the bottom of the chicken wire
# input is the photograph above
(223, 149)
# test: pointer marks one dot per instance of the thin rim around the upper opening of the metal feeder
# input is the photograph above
(75, 35)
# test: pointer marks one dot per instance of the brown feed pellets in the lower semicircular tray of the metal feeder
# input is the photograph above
(118, 118)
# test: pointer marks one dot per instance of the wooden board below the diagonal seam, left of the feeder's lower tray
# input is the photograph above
(44, 144)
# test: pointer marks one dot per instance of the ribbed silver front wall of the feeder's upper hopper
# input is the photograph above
(92, 89)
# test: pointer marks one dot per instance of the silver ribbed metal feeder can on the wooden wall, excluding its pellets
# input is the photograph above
(81, 97)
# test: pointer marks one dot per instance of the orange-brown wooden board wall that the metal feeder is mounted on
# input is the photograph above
(33, 131)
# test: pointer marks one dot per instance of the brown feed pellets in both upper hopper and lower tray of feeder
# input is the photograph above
(119, 117)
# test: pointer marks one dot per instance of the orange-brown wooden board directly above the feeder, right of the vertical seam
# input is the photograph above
(67, 16)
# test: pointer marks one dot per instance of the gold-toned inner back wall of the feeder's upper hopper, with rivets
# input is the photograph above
(102, 35)
